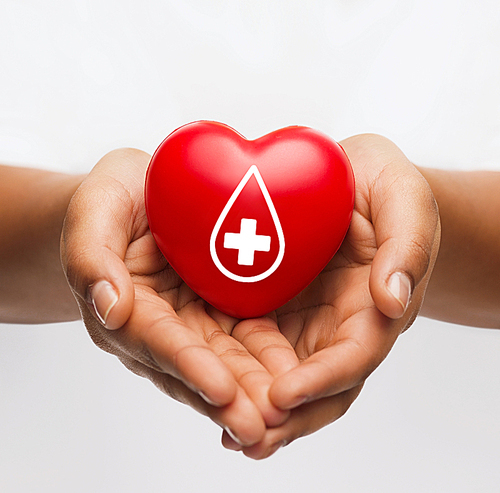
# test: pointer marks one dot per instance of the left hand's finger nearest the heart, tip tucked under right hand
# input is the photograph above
(248, 372)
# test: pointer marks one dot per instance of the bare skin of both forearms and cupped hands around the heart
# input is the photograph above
(271, 380)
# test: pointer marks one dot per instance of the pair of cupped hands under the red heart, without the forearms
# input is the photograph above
(267, 381)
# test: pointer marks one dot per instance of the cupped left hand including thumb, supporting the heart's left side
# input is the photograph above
(163, 331)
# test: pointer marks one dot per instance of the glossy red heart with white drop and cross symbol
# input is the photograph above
(248, 224)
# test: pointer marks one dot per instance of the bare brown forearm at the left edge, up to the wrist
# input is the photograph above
(33, 204)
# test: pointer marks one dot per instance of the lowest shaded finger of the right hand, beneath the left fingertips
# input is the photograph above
(303, 421)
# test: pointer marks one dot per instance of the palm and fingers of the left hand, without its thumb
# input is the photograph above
(172, 337)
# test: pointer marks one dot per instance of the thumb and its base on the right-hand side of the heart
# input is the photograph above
(405, 218)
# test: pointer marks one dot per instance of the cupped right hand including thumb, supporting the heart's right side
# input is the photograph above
(344, 324)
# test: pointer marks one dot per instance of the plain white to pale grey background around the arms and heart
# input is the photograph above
(79, 78)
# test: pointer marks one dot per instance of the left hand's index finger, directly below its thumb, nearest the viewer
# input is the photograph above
(158, 338)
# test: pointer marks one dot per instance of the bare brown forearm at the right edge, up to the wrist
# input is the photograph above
(465, 284)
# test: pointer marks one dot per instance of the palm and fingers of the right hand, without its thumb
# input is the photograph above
(326, 326)
